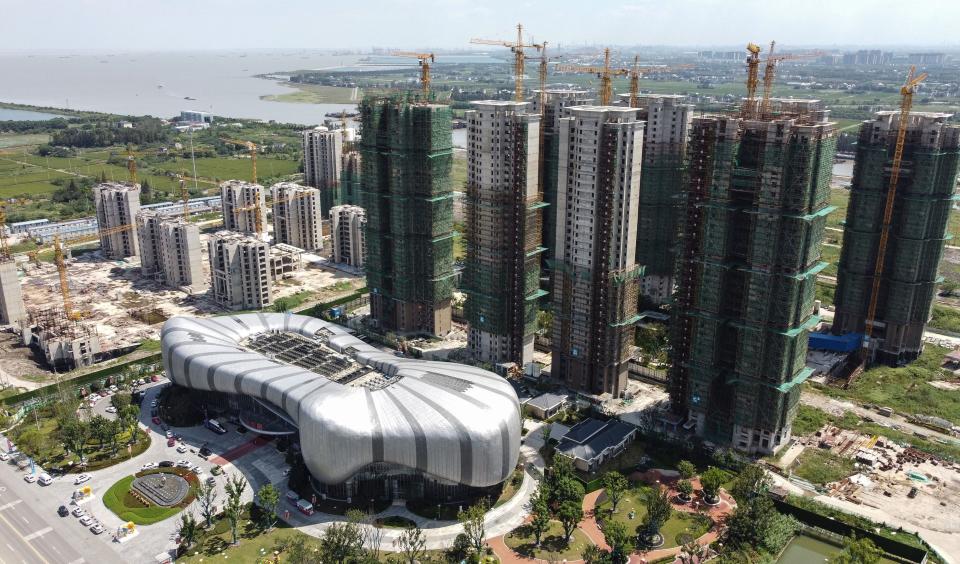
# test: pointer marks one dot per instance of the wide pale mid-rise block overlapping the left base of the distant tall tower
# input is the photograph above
(296, 216)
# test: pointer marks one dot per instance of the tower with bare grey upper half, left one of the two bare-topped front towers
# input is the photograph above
(504, 218)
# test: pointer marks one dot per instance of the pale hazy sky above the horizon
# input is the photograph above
(212, 24)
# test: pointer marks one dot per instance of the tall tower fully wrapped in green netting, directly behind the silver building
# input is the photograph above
(406, 153)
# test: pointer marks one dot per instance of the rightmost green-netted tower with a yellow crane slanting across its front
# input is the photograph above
(921, 209)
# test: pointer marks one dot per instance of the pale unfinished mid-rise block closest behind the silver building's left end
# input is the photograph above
(240, 271)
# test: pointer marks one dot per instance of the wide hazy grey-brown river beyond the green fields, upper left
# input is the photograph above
(163, 84)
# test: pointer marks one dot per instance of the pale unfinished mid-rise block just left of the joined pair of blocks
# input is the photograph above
(117, 206)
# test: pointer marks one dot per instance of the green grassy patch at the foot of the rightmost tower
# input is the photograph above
(906, 389)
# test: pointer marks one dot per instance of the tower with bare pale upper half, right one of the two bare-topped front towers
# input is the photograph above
(596, 277)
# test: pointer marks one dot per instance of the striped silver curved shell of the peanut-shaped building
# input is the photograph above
(353, 403)
